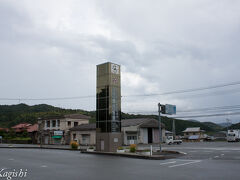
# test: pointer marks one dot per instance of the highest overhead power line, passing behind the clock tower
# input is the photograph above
(137, 95)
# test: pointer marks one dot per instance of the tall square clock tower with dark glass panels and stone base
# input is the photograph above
(108, 111)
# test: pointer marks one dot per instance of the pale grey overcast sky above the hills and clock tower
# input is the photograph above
(50, 48)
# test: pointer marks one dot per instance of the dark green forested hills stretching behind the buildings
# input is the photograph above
(11, 115)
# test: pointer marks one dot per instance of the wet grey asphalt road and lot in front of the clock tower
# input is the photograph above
(219, 160)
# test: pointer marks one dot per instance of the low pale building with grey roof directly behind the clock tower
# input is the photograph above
(135, 131)
